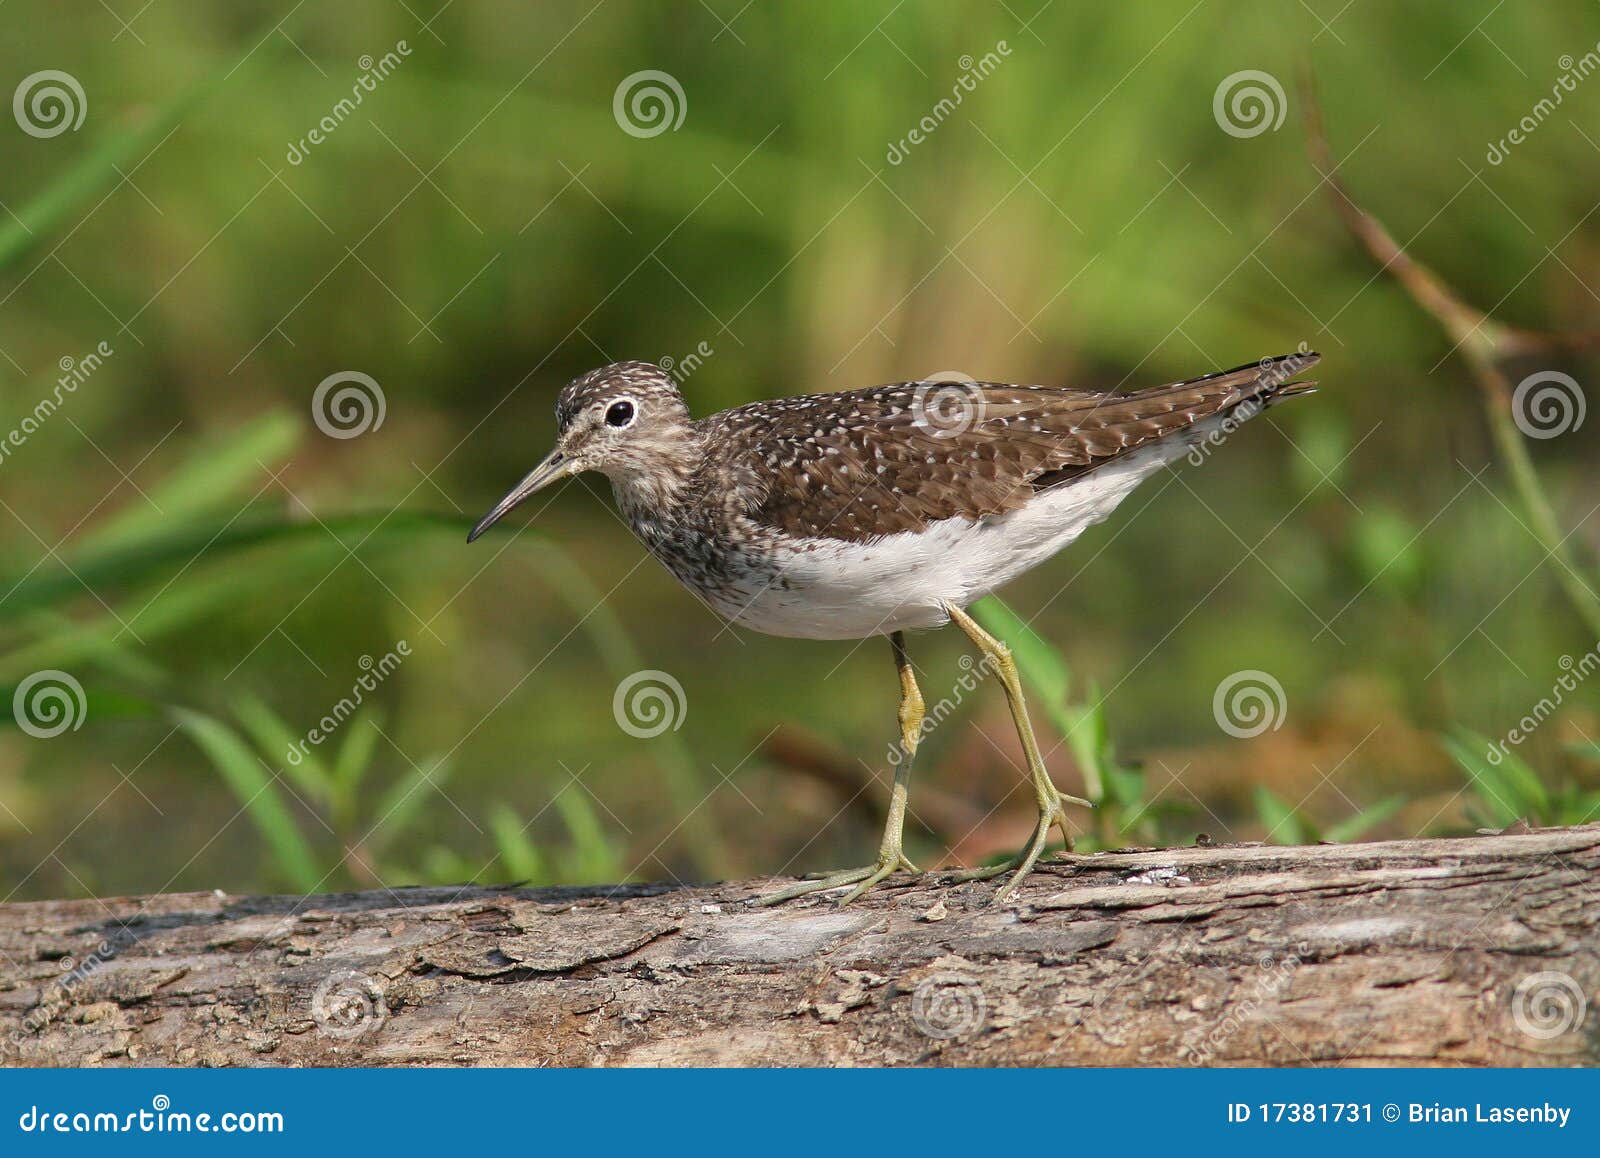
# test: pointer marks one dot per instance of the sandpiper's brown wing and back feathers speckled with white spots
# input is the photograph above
(895, 458)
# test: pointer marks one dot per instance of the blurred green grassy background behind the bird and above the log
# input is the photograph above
(212, 569)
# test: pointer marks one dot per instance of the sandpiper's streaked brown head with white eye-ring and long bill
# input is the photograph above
(628, 421)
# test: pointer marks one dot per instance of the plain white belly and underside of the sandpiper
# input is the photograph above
(847, 591)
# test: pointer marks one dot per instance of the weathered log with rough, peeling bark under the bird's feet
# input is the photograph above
(1462, 952)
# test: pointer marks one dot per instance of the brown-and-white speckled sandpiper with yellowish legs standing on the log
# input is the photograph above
(886, 511)
